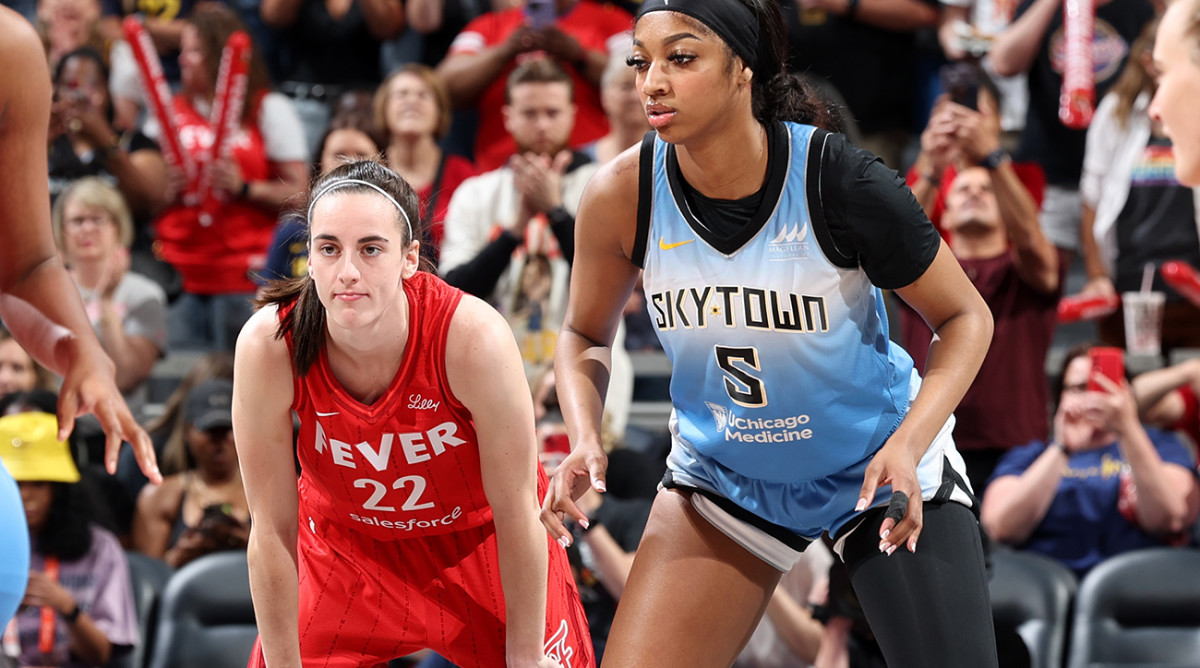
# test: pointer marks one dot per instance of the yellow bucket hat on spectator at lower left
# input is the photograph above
(32, 450)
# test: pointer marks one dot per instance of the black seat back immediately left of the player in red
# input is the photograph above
(207, 618)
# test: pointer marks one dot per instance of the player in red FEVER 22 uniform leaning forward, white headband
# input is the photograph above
(415, 522)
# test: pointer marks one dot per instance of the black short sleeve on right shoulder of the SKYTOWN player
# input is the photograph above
(873, 216)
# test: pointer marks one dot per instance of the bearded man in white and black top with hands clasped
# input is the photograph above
(509, 233)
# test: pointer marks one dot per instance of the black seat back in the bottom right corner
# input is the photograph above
(1139, 609)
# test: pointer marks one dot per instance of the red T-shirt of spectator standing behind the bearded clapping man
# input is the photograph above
(592, 25)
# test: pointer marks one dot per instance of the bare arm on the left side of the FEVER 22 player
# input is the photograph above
(262, 429)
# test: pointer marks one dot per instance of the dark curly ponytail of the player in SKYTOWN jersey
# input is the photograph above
(776, 94)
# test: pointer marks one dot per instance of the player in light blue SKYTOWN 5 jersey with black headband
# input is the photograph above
(765, 243)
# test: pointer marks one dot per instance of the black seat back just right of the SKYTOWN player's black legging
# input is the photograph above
(1031, 595)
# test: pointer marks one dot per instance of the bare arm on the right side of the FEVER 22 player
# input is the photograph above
(482, 346)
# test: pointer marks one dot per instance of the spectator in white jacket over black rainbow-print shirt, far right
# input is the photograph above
(1136, 213)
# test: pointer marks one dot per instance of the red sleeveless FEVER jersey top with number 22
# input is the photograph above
(407, 465)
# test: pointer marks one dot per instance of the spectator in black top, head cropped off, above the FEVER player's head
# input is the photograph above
(332, 47)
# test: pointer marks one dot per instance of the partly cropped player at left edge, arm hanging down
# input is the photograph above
(39, 302)
